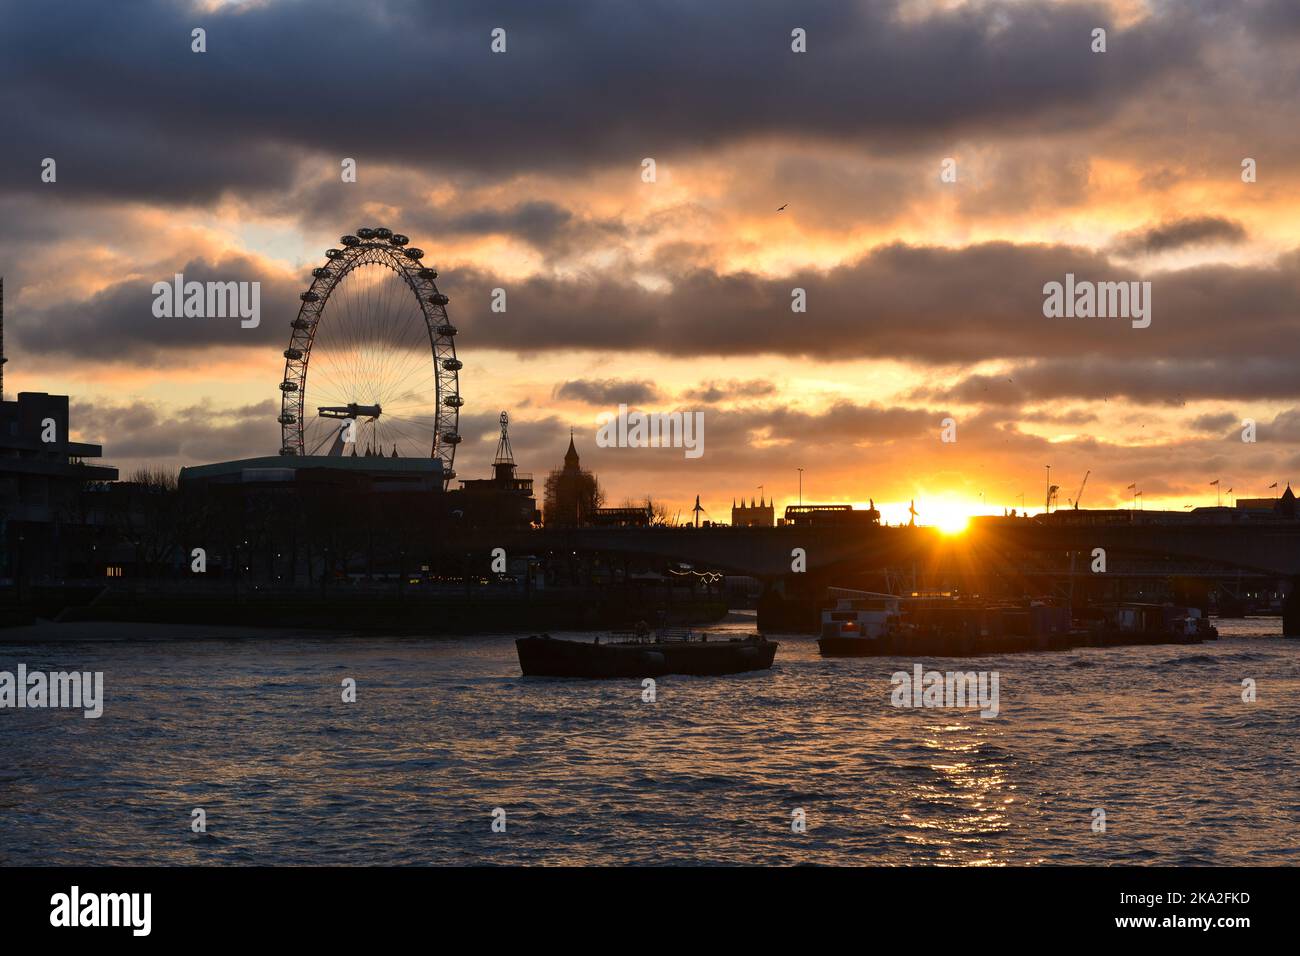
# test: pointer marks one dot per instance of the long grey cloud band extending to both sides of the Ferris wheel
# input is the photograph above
(931, 305)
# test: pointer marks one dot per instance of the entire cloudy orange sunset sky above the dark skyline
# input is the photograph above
(525, 171)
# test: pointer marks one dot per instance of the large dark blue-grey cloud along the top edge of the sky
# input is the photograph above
(128, 110)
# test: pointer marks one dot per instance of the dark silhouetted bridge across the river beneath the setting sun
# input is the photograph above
(1147, 556)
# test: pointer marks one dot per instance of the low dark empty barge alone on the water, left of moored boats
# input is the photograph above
(644, 655)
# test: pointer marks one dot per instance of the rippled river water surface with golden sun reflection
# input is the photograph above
(254, 732)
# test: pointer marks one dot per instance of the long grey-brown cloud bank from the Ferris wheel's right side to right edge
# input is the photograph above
(938, 306)
